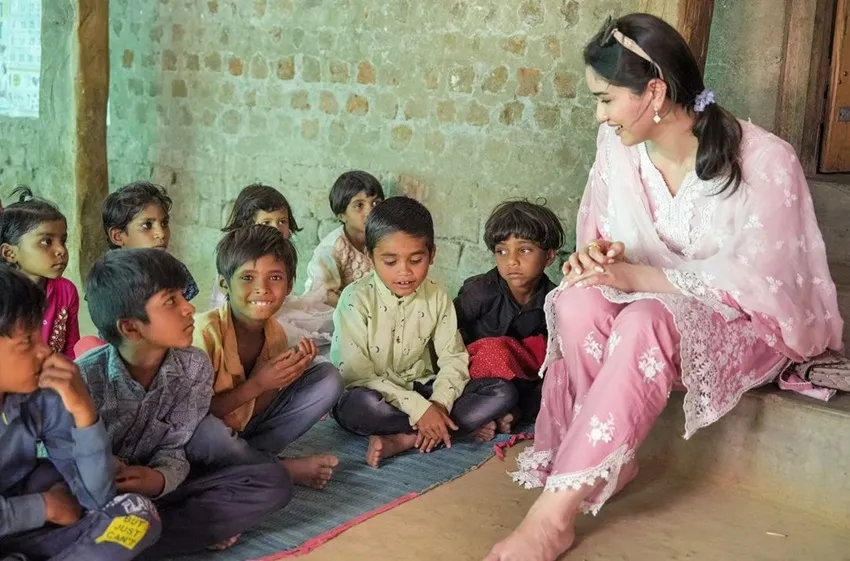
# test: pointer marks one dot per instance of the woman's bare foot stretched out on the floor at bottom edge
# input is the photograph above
(547, 531)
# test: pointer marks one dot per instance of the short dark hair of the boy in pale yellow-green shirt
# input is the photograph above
(399, 214)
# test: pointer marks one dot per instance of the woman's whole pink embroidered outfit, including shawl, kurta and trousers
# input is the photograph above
(755, 293)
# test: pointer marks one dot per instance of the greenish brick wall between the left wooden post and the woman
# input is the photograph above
(459, 103)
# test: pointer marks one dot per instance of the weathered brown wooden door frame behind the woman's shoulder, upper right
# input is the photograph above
(804, 77)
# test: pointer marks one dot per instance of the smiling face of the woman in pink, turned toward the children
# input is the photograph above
(629, 114)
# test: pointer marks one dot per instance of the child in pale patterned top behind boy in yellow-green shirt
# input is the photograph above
(340, 258)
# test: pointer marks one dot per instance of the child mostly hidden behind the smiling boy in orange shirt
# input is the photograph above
(299, 316)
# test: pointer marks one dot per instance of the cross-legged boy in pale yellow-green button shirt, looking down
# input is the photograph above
(387, 324)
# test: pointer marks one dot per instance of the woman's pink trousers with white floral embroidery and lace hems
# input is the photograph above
(619, 364)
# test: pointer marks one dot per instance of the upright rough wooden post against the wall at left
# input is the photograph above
(91, 92)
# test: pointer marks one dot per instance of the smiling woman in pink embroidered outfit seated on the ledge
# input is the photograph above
(699, 266)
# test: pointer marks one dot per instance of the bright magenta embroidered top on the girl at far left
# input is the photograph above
(60, 327)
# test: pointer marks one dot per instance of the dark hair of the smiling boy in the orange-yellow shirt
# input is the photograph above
(245, 245)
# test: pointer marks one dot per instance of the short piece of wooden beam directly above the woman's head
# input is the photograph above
(691, 17)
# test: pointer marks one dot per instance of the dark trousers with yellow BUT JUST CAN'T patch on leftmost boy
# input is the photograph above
(120, 531)
